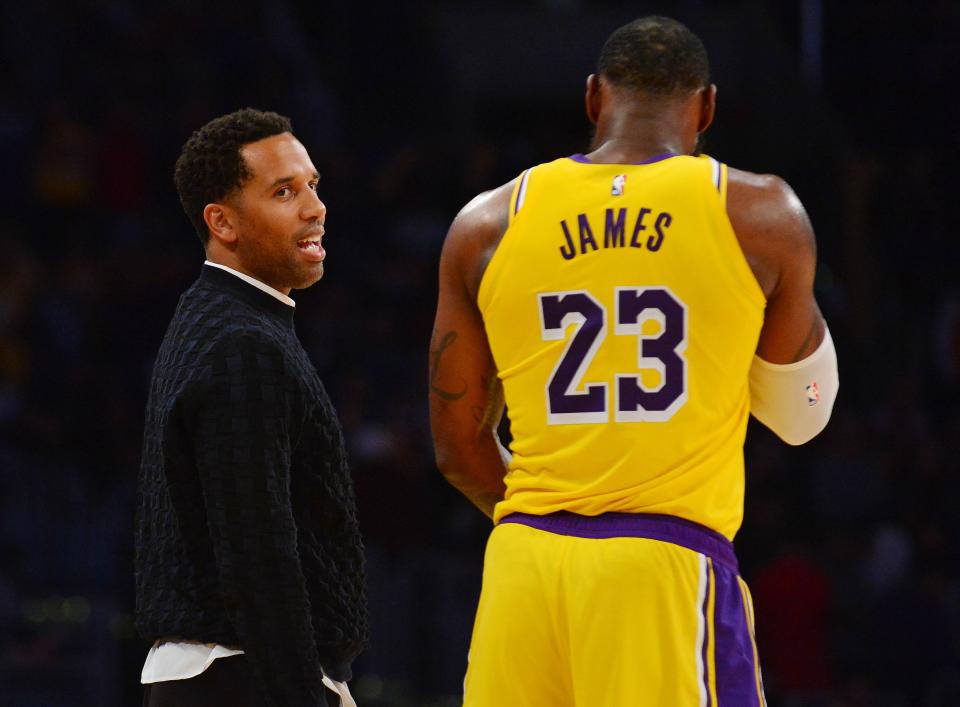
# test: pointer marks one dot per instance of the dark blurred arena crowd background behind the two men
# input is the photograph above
(850, 543)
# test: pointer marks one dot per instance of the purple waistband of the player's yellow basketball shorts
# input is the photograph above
(671, 529)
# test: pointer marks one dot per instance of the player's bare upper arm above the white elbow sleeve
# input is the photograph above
(777, 238)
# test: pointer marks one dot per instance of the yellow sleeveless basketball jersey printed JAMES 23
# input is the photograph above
(623, 318)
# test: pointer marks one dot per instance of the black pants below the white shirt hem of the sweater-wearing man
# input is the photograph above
(227, 682)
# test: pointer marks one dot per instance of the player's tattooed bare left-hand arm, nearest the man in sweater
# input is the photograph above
(466, 398)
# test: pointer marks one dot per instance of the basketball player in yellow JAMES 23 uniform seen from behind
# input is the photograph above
(632, 306)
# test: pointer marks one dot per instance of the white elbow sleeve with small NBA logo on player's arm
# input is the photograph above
(795, 399)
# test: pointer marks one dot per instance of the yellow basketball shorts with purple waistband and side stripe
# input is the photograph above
(616, 610)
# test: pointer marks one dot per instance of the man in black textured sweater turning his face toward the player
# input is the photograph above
(249, 564)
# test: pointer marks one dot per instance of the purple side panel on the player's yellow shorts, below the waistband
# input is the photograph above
(735, 662)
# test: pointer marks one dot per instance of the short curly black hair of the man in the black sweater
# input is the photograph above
(210, 165)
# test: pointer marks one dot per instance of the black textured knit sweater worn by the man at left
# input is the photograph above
(246, 531)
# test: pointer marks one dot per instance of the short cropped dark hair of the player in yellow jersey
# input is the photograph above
(657, 56)
